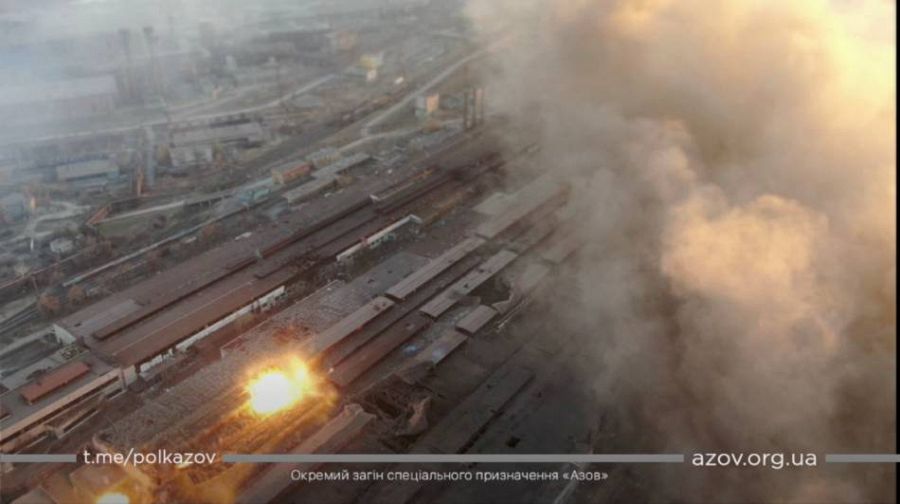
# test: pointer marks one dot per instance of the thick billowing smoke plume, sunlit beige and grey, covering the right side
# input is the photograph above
(736, 168)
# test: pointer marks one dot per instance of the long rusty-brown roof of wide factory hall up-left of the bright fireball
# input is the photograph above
(177, 302)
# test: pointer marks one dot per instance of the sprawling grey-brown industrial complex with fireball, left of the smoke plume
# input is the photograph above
(333, 261)
